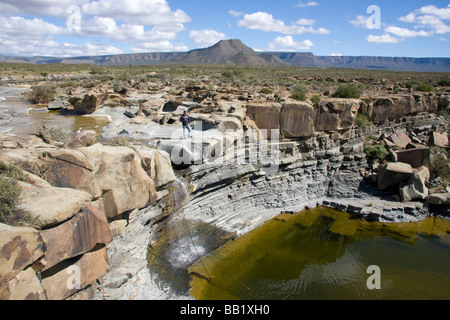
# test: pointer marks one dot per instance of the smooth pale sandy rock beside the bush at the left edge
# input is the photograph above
(50, 206)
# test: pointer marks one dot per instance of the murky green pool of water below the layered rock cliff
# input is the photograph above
(325, 254)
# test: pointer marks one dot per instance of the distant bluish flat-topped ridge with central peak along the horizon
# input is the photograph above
(234, 52)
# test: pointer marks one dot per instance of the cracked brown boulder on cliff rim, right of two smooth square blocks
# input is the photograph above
(336, 114)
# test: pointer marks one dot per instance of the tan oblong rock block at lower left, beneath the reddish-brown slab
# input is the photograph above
(71, 276)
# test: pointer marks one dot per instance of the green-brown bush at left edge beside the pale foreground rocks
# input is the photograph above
(10, 196)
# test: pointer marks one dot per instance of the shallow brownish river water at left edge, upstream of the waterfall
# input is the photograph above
(21, 117)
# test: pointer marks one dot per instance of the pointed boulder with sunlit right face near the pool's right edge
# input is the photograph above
(415, 188)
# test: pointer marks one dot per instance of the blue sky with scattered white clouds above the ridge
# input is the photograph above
(68, 28)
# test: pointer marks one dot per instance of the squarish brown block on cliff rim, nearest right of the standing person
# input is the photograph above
(266, 116)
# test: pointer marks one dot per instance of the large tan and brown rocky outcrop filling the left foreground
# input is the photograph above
(65, 252)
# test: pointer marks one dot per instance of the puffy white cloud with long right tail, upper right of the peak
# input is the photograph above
(265, 22)
